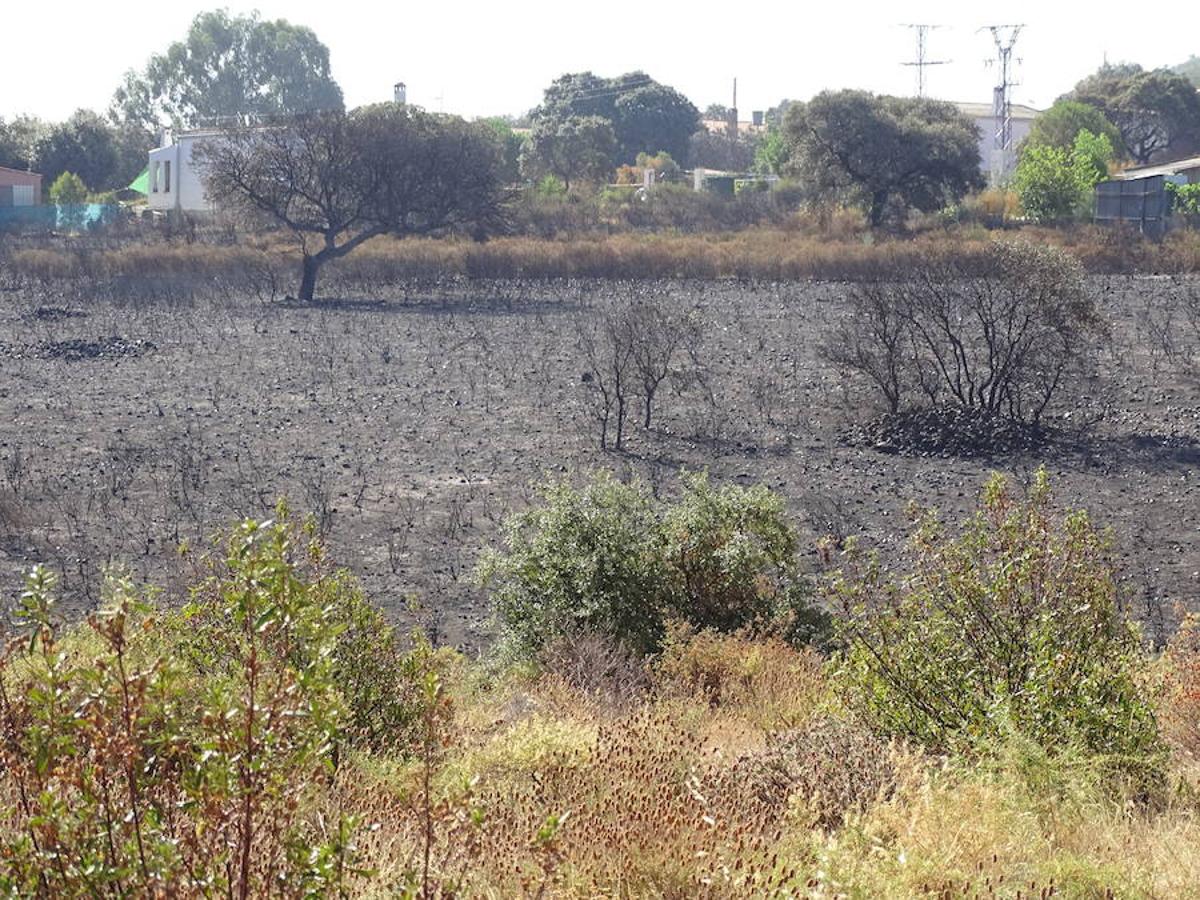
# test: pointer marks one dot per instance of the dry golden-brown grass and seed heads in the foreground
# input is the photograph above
(736, 776)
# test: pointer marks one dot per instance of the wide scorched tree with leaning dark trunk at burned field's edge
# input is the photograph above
(339, 179)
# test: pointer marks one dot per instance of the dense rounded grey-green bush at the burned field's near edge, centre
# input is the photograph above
(608, 561)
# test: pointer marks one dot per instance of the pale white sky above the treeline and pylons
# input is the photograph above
(491, 58)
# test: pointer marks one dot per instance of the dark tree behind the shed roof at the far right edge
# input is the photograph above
(1157, 112)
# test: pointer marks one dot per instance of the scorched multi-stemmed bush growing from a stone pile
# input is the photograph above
(1005, 332)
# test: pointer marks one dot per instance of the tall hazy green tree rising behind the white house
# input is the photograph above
(230, 65)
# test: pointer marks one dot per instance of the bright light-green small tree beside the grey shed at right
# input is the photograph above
(1055, 184)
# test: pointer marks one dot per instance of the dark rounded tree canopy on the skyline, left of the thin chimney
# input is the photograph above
(646, 117)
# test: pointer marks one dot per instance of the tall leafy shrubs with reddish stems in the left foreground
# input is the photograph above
(127, 771)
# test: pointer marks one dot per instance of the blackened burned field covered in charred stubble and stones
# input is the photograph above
(410, 424)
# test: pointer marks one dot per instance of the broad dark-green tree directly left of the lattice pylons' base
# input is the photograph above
(887, 154)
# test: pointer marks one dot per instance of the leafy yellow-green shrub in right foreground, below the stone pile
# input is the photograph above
(1013, 625)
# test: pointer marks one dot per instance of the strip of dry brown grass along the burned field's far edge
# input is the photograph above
(769, 255)
